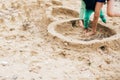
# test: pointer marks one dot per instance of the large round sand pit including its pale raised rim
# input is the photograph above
(65, 32)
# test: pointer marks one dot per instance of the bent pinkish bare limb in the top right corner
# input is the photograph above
(110, 11)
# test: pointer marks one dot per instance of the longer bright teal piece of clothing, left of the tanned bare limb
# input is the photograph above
(87, 18)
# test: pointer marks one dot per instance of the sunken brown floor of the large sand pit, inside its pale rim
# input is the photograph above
(67, 30)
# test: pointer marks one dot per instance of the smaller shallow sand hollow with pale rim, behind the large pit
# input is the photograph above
(60, 12)
